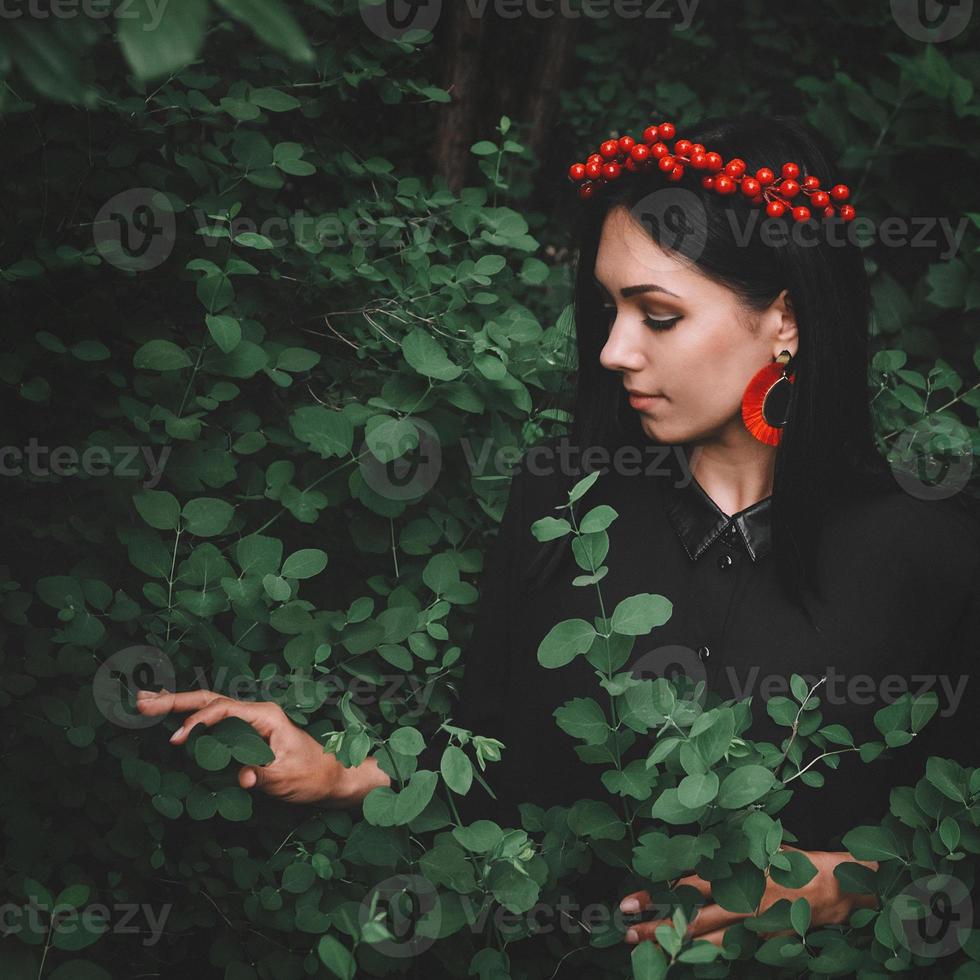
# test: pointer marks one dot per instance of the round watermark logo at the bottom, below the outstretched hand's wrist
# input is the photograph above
(400, 917)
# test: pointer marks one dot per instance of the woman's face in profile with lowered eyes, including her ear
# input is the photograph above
(681, 337)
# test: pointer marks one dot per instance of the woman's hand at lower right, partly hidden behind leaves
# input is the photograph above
(828, 903)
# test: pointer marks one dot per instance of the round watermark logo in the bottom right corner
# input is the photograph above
(933, 916)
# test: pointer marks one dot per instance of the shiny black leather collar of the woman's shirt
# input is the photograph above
(698, 520)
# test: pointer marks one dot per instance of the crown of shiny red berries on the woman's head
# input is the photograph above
(779, 194)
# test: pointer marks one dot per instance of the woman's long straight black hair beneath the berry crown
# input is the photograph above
(827, 450)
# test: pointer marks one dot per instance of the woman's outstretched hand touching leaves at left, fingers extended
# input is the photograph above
(301, 771)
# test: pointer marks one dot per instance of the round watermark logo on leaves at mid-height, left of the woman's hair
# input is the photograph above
(410, 460)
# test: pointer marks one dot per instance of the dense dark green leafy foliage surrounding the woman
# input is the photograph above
(210, 259)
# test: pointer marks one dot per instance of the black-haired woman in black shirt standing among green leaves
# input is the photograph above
(799, 557)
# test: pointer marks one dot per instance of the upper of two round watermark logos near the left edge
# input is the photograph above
(135, 230)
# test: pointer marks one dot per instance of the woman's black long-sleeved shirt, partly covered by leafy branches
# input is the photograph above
(898, 605)
